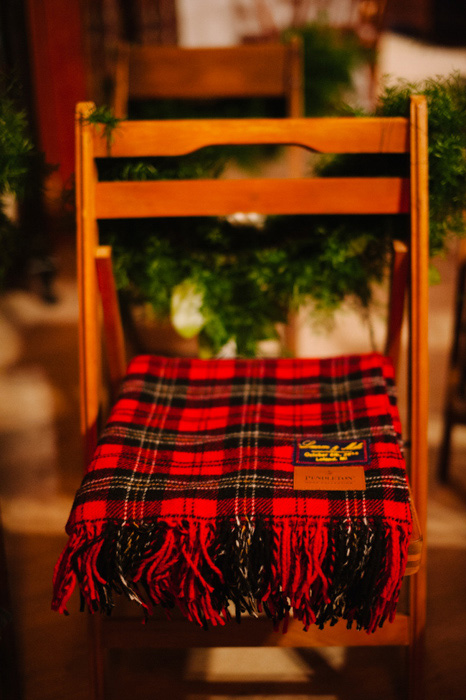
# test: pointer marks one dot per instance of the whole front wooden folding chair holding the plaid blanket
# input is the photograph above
(106, 200)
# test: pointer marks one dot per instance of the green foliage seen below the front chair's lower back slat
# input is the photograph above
(247, 277)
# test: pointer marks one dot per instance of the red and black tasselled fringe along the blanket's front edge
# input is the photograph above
(319, 570)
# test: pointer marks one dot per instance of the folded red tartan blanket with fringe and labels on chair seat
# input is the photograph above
(274, 485)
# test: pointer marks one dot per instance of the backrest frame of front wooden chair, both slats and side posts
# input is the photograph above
(367, 195)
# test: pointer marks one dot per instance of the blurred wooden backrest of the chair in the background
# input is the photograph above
(162, 72)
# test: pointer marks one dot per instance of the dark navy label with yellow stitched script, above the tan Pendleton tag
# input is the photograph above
(316, 451)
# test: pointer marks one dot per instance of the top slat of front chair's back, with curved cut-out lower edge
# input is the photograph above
(338, 135)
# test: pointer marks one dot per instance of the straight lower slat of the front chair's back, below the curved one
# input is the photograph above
(115, 200)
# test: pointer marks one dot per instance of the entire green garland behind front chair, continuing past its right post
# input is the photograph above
(249, 277)
